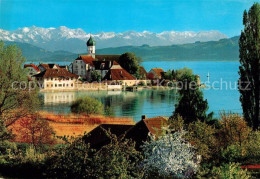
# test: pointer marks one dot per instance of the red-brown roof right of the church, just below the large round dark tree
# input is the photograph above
(118, 74)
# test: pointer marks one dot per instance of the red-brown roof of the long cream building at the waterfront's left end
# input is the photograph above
(61, 72)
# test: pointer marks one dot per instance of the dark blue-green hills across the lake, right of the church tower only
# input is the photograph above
(224, 49)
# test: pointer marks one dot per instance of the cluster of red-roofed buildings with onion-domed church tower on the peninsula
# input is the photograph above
(54, 76)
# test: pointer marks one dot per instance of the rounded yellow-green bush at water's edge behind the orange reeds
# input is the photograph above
(87, 105)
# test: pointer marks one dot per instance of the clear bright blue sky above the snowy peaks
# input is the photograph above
(123, 15)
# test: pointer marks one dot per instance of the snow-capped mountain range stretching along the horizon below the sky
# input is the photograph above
(74, 40)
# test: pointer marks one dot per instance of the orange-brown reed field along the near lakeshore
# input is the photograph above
(69, 125)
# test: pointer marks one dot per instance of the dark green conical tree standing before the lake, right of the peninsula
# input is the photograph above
(191, 105)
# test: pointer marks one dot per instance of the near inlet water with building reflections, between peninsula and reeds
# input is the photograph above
(131, 104)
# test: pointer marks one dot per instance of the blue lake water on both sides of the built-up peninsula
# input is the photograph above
(222, 94)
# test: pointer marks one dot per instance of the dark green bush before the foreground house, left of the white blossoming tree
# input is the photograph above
(119, 159)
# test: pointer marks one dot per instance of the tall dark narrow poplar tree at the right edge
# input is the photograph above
(249, 53)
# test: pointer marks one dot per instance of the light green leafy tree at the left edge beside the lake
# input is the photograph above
(16, 100)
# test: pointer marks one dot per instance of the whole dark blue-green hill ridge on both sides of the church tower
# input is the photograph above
(224, 49)
